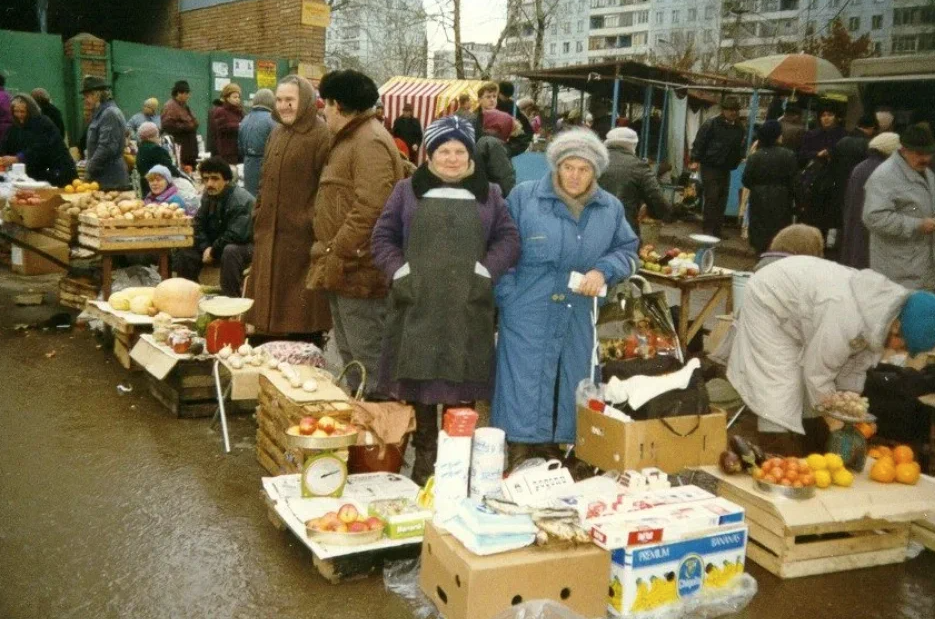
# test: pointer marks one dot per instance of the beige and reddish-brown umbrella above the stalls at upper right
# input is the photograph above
(800, 71)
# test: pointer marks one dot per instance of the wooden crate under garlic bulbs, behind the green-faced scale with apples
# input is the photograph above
(275, 413)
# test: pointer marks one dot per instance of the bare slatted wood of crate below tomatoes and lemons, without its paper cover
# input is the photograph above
(820, 548)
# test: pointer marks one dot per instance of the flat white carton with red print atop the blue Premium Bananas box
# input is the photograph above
(666, 524)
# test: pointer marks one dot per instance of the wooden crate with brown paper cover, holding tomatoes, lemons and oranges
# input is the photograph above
(839, 529)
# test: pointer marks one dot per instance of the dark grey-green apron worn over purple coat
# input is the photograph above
(441, 321)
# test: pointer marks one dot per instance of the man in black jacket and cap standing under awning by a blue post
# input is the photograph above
(718, 149)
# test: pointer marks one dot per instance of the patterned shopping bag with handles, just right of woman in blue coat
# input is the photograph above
(636, 326)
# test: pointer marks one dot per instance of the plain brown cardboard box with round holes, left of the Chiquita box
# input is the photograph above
(466, 586)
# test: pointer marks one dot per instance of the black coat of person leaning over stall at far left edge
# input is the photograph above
(40, 146)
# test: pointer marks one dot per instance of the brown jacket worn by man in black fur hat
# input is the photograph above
(363, 167)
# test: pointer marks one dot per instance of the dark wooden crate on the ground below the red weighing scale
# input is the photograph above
(188, 391)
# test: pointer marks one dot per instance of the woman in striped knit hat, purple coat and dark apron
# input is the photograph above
(443, 241)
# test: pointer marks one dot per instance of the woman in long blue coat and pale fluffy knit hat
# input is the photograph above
(567, 224)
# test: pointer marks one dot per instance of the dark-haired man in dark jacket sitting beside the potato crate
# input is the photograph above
(223, 229)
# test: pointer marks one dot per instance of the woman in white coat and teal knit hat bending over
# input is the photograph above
(810, 327)
